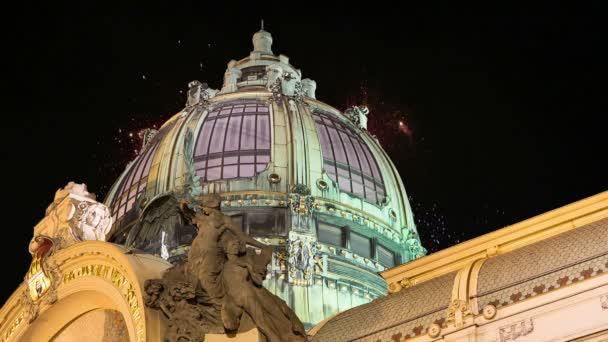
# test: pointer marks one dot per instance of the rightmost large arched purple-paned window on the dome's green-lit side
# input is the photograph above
(347, 160)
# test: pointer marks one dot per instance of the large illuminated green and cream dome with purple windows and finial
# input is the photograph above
(292, 171)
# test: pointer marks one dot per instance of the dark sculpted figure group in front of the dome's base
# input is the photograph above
(219, 288)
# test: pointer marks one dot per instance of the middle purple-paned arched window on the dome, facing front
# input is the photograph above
(234, 141)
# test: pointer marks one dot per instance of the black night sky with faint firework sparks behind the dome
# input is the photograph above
(491, 114)
